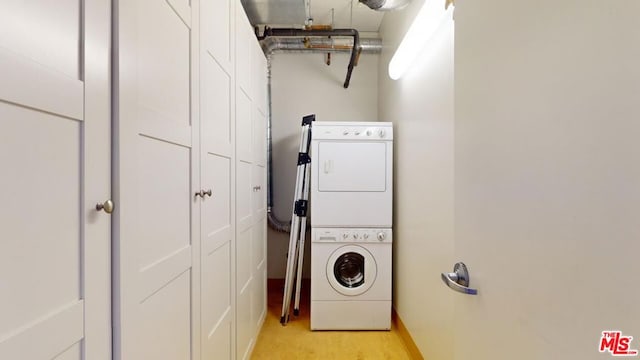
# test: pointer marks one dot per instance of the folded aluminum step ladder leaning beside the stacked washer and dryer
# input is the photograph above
(295, 256)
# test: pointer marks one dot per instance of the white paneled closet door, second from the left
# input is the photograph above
(157, 164)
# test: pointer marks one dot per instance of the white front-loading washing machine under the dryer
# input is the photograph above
(350, 279)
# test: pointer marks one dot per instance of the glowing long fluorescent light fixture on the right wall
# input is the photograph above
(429, 19)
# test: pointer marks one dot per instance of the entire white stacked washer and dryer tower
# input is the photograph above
(351, 219)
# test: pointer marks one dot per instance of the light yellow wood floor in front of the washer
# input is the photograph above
(296, 341)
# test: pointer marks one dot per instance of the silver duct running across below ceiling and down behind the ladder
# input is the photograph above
(275, 45)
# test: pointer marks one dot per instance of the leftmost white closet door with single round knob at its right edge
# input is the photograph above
(54, 155)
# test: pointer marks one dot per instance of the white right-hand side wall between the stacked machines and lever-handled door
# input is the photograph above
(421, 106)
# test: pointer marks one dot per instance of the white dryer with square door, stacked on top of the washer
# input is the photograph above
(352, 174)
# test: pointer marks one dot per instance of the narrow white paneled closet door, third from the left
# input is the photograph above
(217, 174)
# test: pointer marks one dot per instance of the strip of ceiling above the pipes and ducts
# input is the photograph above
(291, 13)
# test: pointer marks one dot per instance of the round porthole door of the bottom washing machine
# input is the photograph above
(351, 270)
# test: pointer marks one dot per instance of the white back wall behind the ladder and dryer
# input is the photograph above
(302, 84)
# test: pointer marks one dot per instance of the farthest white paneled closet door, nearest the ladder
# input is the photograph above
(251, 186)
